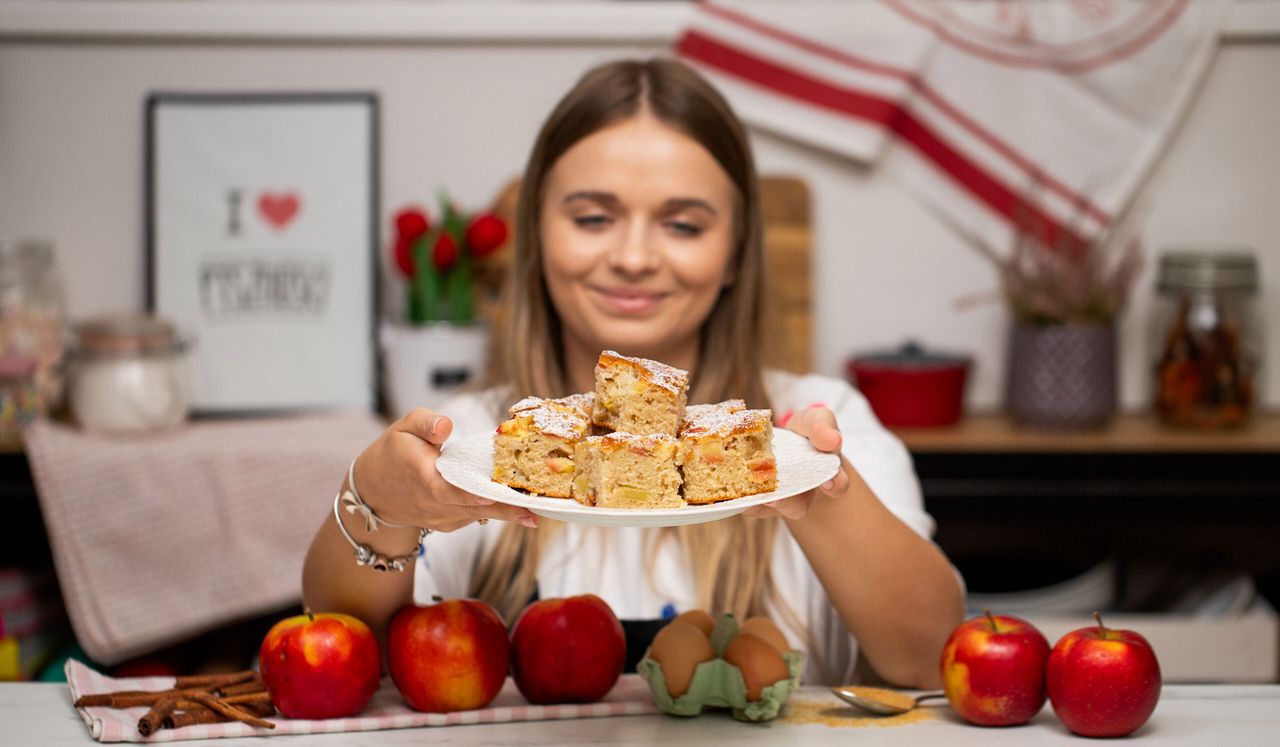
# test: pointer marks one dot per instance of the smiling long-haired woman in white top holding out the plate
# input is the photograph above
(639, 231)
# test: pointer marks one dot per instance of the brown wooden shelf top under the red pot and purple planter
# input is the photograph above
(1127, 434)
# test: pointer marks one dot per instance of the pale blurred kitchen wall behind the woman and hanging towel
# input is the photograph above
(463, 90)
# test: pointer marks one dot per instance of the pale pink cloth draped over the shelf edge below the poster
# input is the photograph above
(161, 538)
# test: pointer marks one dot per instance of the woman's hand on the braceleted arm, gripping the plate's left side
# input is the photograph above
(397, 478)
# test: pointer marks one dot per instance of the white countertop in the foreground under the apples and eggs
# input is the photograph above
(1219, 716)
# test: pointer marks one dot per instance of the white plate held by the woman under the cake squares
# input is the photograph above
(468, 464)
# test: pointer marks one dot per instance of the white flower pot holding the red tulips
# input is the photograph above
(426, 365)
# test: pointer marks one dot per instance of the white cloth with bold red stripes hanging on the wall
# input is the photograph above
(1048, 116)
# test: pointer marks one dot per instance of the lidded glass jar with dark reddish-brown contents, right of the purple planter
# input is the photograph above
(1206, 338)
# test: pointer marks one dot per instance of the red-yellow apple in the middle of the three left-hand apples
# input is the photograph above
(449, 657)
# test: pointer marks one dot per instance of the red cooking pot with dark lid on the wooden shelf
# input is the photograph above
(911, 387)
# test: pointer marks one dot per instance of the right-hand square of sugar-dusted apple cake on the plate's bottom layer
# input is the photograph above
(728, 455)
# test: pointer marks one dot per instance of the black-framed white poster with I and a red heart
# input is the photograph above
(262, 233)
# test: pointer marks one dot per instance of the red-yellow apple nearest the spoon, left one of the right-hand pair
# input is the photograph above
(994, 671)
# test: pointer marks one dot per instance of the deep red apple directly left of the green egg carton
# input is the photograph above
(568, 650)
